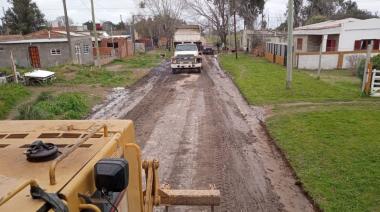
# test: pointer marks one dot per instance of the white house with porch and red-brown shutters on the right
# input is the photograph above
(339, 40)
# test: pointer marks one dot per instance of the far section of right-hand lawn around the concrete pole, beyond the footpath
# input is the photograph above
(262, 82)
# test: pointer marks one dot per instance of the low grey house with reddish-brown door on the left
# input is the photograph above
(46, 48)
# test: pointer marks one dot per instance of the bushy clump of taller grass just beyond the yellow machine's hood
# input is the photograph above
(63, 106)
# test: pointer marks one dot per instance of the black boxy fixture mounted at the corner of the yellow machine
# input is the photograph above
(111, 174)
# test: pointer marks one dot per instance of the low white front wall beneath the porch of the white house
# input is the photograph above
(329, 61)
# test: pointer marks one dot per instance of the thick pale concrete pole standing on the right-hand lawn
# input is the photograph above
(290, 45)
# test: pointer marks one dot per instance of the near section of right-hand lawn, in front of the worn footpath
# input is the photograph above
(335, 153)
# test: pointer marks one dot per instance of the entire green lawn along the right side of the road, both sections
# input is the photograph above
(327, 131)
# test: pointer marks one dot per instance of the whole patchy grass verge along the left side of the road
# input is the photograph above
(75, 91)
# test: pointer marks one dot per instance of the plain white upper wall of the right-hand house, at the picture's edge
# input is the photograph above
(358, 30)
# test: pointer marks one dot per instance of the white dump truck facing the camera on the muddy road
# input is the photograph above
(188, 44)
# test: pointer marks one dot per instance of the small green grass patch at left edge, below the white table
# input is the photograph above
(10, 96)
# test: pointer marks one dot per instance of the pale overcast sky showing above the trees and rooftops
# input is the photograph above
(79, 10)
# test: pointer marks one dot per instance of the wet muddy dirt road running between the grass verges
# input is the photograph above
(203, 132)
